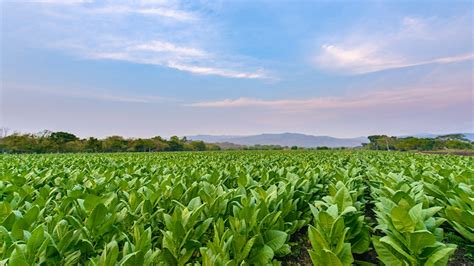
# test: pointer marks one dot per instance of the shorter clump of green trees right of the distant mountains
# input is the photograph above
(451, 141)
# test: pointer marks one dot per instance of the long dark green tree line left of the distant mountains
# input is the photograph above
(54, 142)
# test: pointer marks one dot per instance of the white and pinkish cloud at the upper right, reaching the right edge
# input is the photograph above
(414, 42)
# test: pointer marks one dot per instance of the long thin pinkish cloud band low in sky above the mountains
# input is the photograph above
(424, 96)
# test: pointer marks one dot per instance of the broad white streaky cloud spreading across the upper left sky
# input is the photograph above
(162, 33)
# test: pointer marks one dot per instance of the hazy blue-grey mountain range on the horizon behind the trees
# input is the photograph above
(296, 139)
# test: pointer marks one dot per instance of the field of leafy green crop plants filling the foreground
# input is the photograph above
(236, 208)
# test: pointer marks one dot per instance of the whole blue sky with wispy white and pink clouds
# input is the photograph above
(159, 67)
